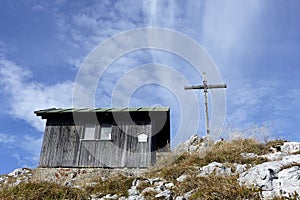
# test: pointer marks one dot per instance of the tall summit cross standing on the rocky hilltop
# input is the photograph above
(205, 87)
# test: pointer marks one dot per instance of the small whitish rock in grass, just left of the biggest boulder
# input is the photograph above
(215, 167)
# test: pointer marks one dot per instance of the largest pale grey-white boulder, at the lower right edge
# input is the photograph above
(275, 177)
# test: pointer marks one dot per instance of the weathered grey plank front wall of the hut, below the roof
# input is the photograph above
(62, 147)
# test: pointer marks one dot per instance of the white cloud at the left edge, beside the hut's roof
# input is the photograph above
(25, 96)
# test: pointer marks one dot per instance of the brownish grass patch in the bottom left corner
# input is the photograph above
(41, 191)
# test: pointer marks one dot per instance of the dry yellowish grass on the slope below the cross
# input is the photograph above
(223, 152)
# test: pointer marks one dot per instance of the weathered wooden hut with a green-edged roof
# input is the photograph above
(104, 137)
